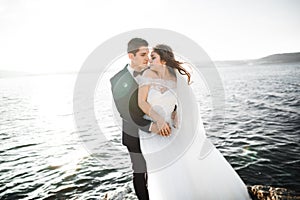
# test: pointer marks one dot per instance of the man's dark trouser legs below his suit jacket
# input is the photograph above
(139, 172)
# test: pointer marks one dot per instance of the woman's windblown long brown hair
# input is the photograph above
(166, 54)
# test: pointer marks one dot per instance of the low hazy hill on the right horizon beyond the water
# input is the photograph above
(271, 59)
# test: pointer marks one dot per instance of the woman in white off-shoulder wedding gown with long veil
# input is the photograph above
(184, 164)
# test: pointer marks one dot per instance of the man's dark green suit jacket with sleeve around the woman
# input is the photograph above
(125, 94)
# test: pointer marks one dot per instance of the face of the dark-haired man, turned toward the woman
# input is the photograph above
(140, 59)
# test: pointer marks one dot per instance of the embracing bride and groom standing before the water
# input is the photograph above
(163, 132)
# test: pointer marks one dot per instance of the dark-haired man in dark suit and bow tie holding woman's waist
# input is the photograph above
(125, 94)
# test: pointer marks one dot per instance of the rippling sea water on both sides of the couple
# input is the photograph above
(44, 157)
